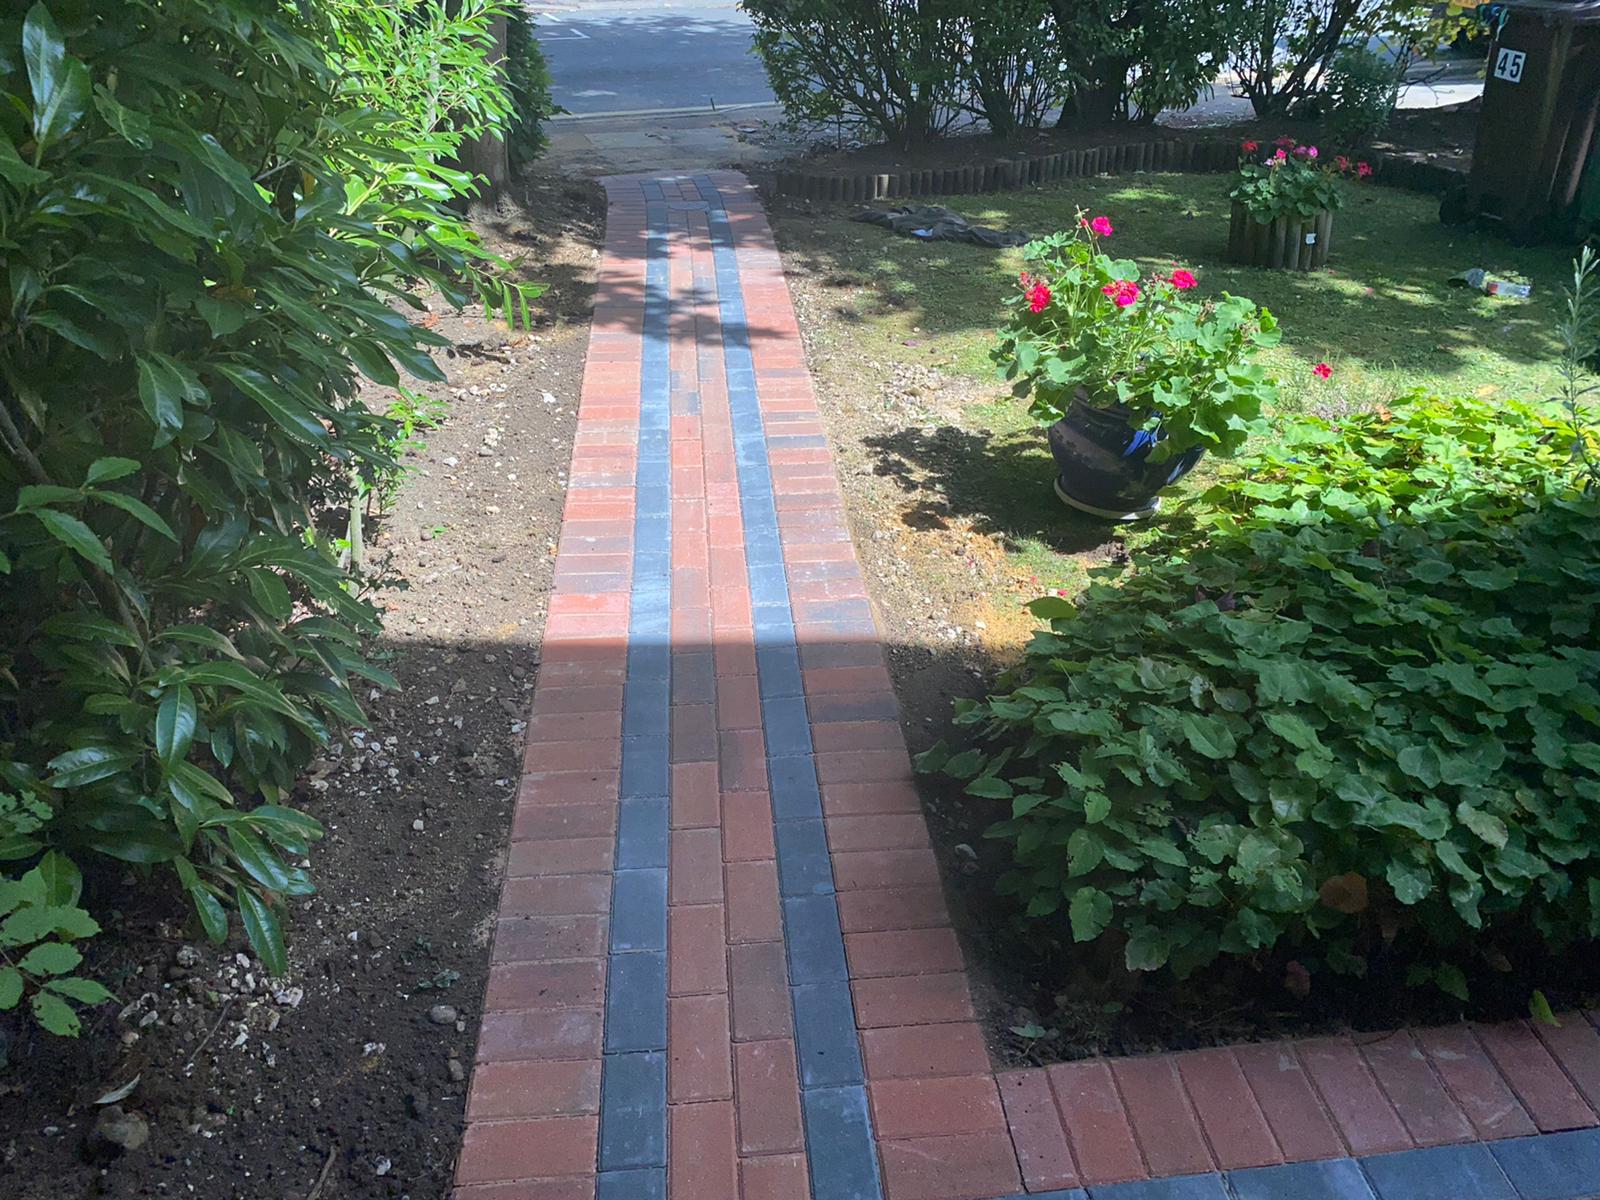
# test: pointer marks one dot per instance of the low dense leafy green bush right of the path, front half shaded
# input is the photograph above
(1353, 708)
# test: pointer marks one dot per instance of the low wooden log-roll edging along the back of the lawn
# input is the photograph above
(1209, 156)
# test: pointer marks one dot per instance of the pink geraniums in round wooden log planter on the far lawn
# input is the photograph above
(1284, 204)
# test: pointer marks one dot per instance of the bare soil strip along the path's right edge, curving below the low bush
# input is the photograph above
(934, 575)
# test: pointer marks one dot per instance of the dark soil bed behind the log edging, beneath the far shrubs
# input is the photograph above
(1438, 135)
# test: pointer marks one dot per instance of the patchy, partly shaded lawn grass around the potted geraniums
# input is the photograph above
(1385, 318)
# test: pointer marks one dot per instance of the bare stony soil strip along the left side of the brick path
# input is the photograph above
(335, 1082)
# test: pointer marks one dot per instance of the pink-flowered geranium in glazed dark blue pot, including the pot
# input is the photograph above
(1132, 378)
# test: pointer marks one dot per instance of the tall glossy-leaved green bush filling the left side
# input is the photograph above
(207, 233)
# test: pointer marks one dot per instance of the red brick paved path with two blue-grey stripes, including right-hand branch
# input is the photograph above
(724, 967)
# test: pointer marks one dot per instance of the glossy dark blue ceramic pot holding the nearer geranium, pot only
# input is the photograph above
(1103, 463)
